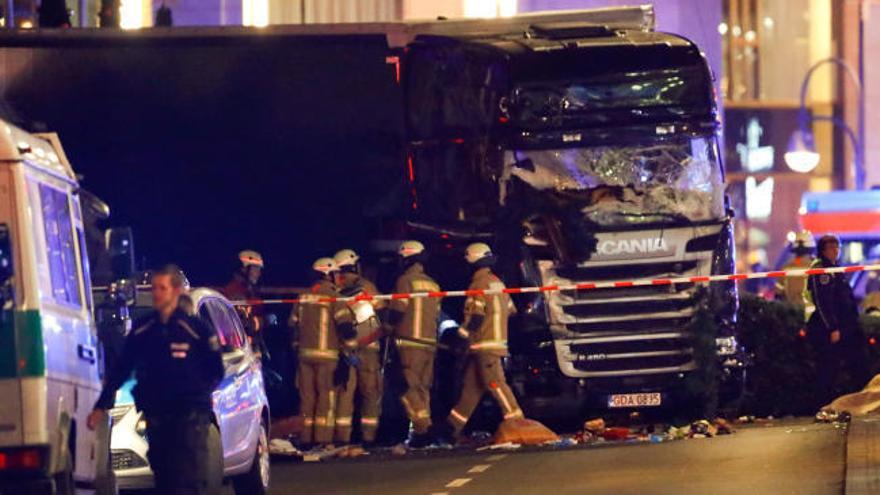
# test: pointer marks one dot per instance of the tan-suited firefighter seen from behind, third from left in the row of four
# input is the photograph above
(414, 323)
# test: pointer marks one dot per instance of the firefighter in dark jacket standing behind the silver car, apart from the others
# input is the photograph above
(245, 286)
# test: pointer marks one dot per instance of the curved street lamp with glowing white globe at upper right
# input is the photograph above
(801, 155)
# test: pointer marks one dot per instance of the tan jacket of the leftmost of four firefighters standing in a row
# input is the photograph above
(317, 319)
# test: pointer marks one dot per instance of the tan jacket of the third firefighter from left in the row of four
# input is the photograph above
(419, 314)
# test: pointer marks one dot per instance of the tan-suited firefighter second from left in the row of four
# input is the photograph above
(366, 377)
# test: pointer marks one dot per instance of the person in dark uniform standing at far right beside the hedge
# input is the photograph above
(834, 327)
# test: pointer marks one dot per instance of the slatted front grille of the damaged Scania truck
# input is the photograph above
(632, 331)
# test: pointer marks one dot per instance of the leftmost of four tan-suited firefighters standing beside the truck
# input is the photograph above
(324, 327)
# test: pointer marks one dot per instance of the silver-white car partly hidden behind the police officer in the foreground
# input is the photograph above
(241, 411)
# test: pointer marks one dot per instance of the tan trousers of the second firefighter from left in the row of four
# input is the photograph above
(366, 381)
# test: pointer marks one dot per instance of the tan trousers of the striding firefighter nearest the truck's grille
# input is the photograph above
(483, 373)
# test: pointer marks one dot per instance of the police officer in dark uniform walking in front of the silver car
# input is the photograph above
(176, 360)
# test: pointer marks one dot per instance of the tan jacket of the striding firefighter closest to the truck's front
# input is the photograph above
(491, 335)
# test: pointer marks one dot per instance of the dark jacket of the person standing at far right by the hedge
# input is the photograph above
(836, 307)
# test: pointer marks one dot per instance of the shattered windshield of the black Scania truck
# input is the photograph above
(676, 179)
